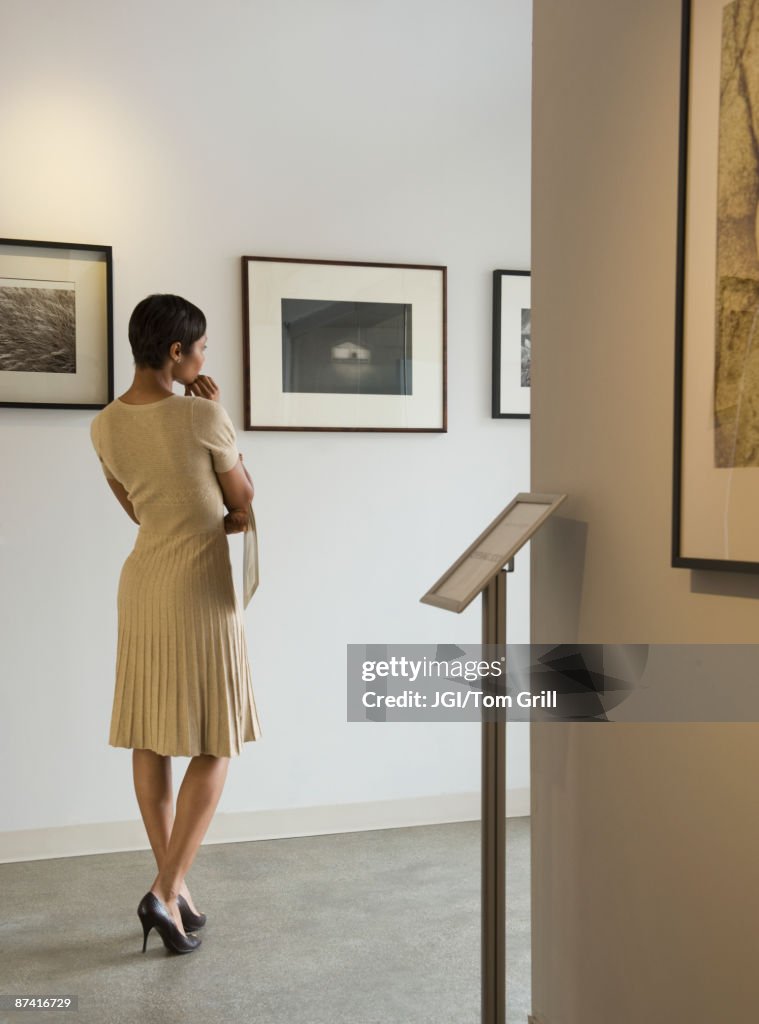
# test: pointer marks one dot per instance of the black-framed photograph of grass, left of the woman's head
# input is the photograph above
(56, 325)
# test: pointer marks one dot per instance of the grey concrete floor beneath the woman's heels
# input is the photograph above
(358, 928)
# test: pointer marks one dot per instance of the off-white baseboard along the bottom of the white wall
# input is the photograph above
(246, 827)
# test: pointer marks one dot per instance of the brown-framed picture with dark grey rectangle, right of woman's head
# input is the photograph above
(333, 346)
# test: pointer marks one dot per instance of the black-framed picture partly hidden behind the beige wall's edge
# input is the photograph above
(512, 345)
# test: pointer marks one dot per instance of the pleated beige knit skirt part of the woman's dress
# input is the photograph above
(183, 678)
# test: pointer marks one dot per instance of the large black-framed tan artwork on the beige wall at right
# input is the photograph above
(716, 431)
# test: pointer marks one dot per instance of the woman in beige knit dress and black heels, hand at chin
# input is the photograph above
(183, 679)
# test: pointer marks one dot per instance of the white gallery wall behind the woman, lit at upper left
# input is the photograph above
(187, 136)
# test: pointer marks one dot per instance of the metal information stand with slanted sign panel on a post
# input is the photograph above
(482, 570)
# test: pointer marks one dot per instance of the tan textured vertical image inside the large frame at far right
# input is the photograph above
(737, 373)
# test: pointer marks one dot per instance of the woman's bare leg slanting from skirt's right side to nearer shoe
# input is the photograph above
(196, 804)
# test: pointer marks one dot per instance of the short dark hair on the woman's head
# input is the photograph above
(157, 323)
